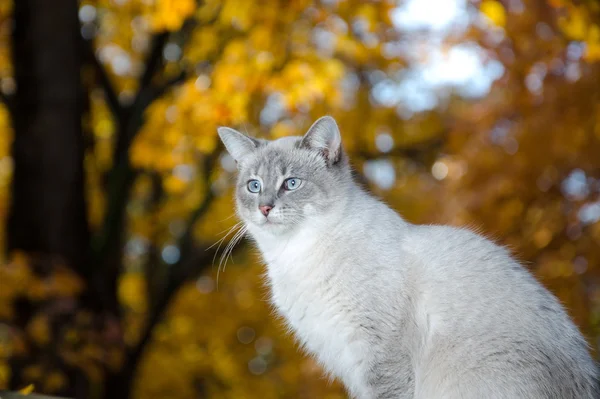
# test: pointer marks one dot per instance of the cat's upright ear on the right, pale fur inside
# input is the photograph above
(324, 136)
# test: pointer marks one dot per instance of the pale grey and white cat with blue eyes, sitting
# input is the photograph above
(393, 309)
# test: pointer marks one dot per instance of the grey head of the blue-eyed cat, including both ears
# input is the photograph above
(285, 183)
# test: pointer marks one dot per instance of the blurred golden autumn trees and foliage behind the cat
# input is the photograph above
(114, 187)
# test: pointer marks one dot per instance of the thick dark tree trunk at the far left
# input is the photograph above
(48, 212)
